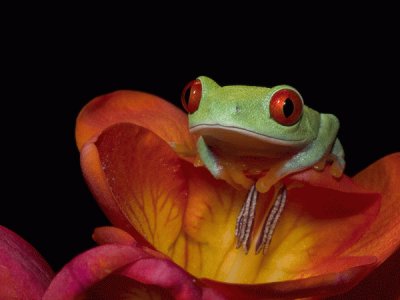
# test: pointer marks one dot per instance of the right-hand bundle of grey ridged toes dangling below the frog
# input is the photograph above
(271, 221)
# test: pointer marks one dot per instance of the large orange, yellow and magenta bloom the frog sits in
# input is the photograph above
(174, 223)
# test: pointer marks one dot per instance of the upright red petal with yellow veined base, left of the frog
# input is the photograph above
(137, 178)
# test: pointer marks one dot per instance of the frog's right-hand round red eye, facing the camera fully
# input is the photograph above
(286, 106)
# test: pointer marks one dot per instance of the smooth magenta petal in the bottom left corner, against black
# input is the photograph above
(24, 274)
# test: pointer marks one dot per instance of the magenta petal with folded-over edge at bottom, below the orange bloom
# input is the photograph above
(113, 271)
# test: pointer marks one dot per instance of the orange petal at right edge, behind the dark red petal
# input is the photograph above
(383, 238)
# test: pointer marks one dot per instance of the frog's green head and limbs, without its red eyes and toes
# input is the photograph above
(236, 119)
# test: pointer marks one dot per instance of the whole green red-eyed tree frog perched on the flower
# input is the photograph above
(252, 137)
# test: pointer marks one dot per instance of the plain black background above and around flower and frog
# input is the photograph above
(343, 61)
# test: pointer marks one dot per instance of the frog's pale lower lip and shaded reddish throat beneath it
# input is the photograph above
(246, 142)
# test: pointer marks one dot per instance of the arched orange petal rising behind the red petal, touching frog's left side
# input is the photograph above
(146, 110)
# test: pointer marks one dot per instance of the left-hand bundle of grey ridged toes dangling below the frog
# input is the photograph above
(245, 220)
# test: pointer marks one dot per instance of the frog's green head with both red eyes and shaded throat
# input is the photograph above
(251, 120)
